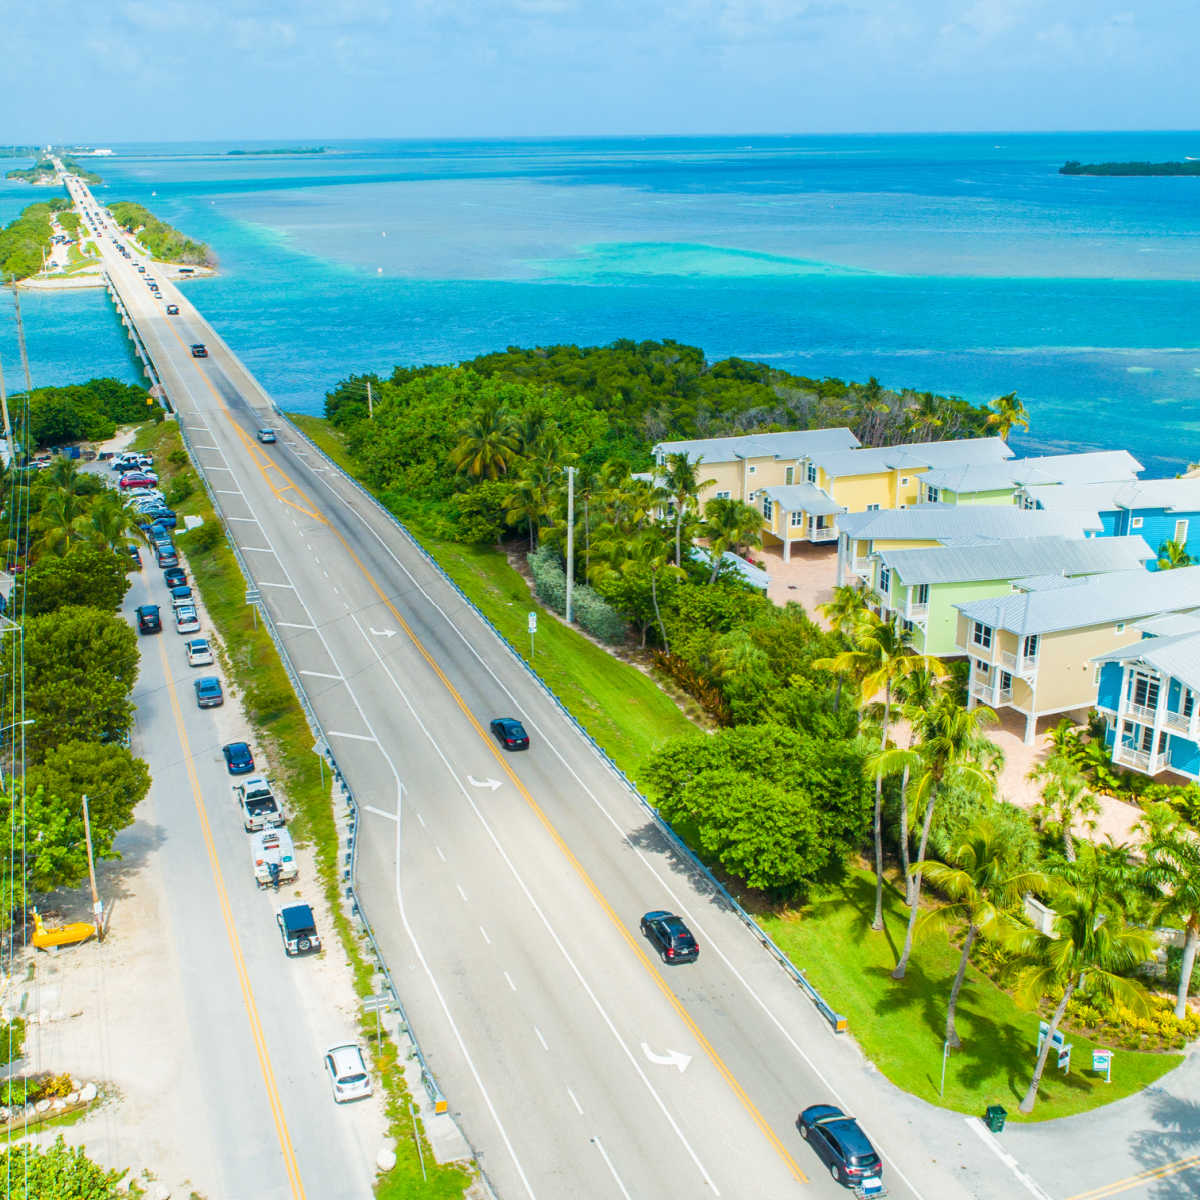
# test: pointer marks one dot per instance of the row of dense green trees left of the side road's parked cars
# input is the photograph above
(67, 548)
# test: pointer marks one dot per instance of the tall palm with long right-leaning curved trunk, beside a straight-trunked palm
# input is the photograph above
(951, 749)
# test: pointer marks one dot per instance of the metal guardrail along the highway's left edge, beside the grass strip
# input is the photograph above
(437, 1099)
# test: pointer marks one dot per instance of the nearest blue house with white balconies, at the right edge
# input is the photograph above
(1149, 698)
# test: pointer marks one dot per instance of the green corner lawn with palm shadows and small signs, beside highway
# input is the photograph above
(902, 1024)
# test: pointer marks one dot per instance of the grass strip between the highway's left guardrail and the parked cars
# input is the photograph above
(254, 664)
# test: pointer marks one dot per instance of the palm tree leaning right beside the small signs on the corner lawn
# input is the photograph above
(1091, 949)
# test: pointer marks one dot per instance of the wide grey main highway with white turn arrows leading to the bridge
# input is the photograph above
(508, 914)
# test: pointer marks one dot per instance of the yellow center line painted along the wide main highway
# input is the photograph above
(568, 854)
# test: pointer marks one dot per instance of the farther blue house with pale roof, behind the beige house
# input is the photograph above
(1160, 511)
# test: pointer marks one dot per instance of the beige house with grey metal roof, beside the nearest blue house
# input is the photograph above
(1034, 651)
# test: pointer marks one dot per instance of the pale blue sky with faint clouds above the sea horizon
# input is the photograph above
(196, 70)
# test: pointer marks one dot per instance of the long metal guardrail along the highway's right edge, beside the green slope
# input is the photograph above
(838, 1023)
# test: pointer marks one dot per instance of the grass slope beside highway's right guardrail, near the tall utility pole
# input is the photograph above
(623, 709)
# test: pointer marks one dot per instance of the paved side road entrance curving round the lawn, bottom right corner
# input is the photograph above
(1147, 1147)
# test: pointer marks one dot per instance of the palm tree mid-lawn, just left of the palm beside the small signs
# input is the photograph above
(985, 884)
